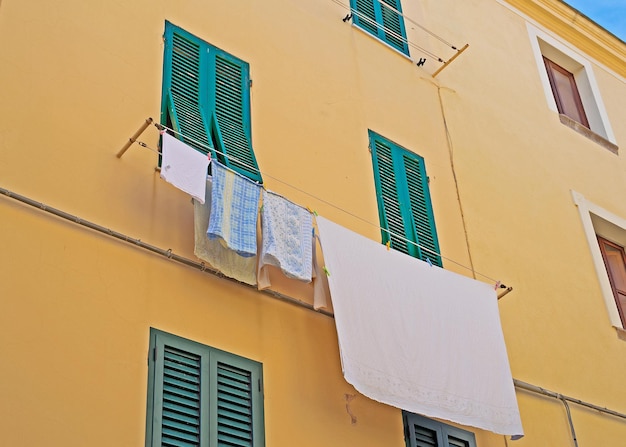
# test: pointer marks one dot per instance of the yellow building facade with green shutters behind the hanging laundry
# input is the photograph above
(98, 264)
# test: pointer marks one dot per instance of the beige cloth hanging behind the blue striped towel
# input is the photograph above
(213, 251)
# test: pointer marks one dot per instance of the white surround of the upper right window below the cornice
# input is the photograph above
(544, 44)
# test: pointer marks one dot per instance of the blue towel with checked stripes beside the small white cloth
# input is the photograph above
(234, 210)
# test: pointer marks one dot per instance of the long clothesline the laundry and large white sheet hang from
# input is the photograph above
(208, 148)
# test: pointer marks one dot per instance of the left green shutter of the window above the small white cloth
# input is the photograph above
(185, 88)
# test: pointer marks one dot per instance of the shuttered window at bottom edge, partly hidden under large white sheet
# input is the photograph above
(420, 431)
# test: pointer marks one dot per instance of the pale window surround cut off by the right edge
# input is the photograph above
(598, 221)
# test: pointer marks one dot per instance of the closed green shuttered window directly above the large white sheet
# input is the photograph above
(404, 206)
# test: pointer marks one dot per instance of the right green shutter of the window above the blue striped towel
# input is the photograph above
(232, 114)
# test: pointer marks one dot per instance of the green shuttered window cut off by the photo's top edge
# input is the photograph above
(381, 18)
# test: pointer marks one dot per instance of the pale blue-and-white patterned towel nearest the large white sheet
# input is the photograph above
(287, 235)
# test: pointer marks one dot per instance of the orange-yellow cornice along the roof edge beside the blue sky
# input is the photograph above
(577, 29)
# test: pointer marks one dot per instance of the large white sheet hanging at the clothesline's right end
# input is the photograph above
(418, 337)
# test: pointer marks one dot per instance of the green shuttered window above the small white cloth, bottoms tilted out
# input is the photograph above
(206, 97)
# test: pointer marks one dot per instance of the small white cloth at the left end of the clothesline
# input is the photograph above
(184, 167)
